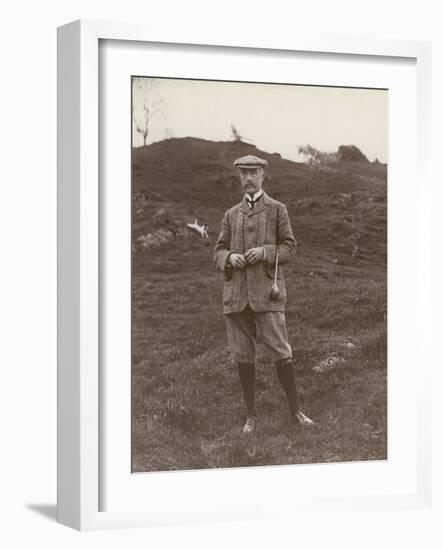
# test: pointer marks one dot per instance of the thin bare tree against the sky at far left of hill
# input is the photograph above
(146, 104)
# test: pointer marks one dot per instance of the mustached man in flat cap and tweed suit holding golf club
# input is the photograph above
(255, 235)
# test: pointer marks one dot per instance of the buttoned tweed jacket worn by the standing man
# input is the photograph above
(267, 225)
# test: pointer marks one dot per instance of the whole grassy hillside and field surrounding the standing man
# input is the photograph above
(187, 409)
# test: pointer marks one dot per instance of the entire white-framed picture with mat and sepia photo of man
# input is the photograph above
(243, 272)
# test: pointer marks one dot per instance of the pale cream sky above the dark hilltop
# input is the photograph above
(277, 118)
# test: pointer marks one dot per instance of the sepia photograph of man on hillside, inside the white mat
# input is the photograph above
(258, 274)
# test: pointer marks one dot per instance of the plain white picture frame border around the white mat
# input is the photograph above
(79, 367)
